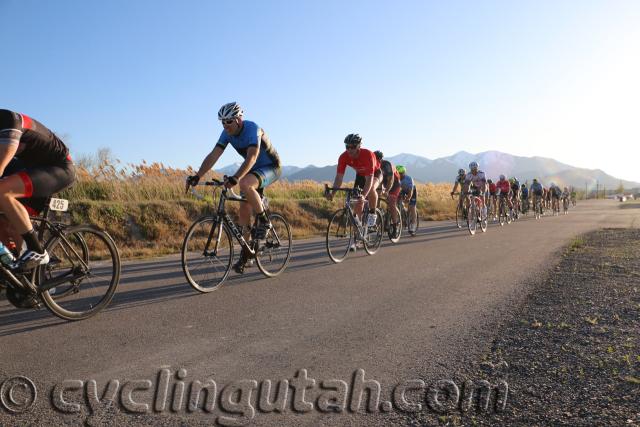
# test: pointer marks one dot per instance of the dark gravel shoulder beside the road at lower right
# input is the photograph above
(570, 352)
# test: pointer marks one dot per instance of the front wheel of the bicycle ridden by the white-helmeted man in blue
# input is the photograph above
(207, 253)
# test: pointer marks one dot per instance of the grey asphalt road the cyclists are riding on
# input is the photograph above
(414, 310)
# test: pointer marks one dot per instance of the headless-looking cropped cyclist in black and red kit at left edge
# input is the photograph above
(34, 164)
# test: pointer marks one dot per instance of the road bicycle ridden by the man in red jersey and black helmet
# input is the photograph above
(345, 229)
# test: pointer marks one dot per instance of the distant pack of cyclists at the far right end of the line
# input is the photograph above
(518, 198)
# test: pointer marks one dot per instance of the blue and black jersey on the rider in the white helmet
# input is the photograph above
(252, 135)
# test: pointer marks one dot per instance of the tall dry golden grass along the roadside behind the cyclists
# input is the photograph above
(145, 208)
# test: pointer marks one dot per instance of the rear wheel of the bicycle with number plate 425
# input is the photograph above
(82, 274)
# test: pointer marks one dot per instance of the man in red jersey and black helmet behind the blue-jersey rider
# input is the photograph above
(368, 174)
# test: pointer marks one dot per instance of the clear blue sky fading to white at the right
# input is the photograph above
(557, 78)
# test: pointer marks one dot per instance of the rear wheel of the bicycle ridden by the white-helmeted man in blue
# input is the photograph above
(273, 253)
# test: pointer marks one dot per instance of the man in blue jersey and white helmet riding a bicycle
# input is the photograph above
(261, 167)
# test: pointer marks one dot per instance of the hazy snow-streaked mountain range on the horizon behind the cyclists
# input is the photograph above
(493, 163)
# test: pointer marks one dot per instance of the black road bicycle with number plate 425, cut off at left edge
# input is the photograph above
(82, 274)
